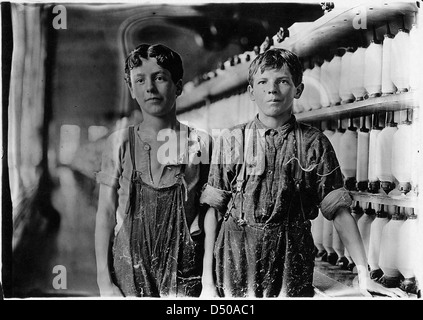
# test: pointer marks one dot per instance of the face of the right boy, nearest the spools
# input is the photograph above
(274, 92)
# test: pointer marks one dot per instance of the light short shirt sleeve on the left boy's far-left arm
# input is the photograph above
(111, 168)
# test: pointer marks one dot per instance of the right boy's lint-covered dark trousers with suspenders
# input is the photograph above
(266, 259)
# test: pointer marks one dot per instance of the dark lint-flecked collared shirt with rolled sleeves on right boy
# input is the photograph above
(269, 156)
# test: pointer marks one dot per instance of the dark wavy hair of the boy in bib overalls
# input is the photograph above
(166, 58)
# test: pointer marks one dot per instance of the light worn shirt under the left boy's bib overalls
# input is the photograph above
(194, 151)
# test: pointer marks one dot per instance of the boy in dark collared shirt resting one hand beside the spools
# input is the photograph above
(261, 209)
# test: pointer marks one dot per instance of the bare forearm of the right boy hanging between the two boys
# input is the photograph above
(210, 225)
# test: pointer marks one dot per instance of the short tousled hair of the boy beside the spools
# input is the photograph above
(276, 58)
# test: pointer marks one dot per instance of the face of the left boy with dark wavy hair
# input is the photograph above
(153, 88)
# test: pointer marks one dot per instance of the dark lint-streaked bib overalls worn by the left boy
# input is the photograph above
(154, 254)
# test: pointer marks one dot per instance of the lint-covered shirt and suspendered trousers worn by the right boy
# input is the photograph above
(264, 246)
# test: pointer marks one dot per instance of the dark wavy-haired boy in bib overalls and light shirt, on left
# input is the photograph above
(150, 183)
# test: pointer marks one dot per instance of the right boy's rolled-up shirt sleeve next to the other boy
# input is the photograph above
(217, 192)
